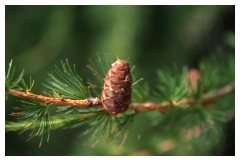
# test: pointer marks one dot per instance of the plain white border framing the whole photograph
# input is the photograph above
(120, 2)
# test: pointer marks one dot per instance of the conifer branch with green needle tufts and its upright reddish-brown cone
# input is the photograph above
(176, 89)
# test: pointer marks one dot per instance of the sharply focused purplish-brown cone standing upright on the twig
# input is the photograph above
(116, 92)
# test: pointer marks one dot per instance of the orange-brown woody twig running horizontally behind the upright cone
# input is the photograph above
(148, 106)
